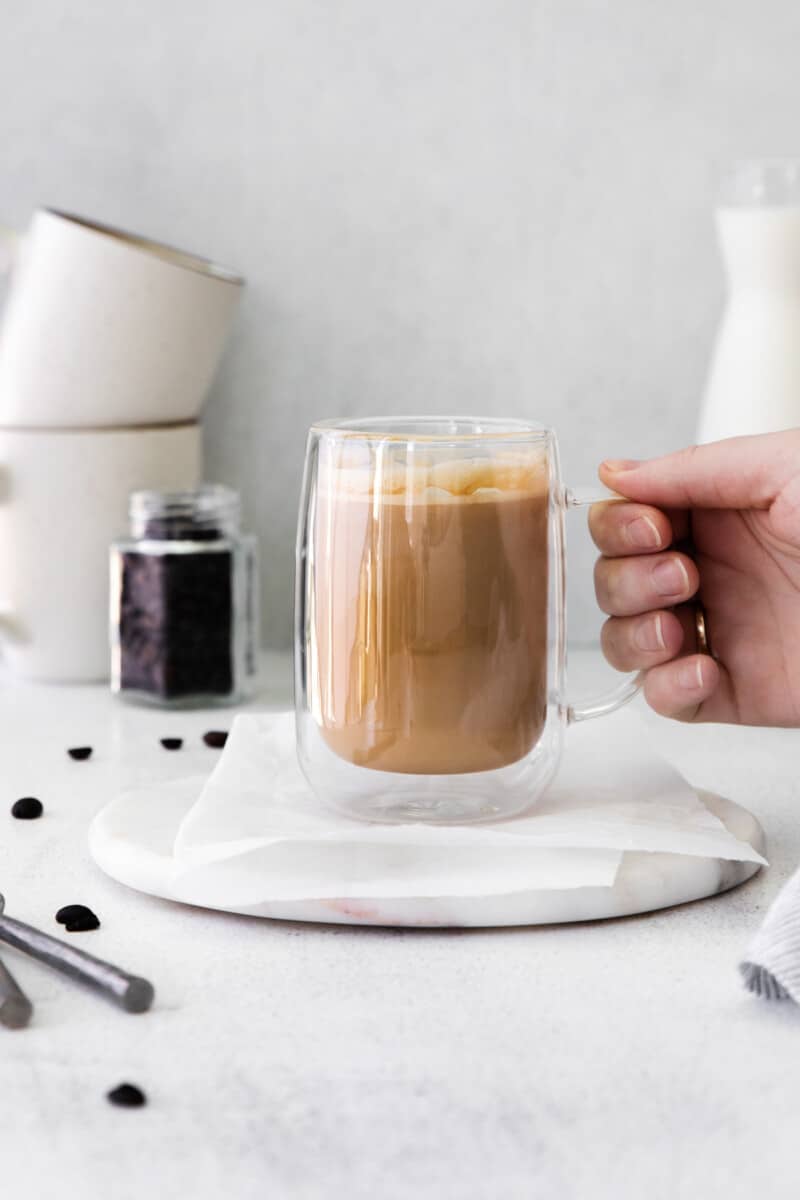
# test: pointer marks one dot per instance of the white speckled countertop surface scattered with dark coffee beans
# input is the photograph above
(611, 1060)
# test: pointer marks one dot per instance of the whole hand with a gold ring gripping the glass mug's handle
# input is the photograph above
(739, 505)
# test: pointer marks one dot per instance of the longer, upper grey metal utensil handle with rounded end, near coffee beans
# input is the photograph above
(131, 993)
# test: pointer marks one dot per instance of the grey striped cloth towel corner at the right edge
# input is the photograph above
(772, 968)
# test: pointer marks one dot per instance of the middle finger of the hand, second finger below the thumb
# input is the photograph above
(630, 586)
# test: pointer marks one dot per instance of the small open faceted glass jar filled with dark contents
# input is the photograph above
(185, 601)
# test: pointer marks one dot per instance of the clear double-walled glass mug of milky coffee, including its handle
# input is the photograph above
(430, 655)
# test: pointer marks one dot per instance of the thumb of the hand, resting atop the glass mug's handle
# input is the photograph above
(738, 473)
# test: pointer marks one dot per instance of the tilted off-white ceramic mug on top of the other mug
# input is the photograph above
(103, 328)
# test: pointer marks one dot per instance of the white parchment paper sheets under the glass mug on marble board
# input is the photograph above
(257, 833)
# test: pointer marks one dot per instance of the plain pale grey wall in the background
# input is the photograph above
(477, 206)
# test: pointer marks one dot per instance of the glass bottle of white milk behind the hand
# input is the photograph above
(754, 383)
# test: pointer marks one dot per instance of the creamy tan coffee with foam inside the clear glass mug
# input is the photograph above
(428, 609)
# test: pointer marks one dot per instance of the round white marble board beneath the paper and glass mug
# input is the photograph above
(133, 841)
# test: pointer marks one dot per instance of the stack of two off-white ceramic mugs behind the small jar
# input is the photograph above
(109, 346)
